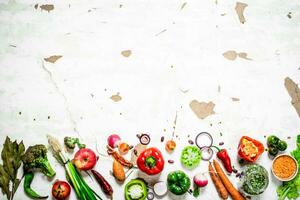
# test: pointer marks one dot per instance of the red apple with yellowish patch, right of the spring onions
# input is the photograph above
(85, 159)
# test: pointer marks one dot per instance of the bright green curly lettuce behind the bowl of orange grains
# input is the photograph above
(291, 189)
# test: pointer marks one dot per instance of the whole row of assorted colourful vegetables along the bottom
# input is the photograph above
(254, 179)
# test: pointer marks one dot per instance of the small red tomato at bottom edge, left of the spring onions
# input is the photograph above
(61, 190)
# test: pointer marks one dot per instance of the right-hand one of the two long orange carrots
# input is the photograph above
(228, 185)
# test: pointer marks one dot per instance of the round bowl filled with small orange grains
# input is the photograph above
(284, 167)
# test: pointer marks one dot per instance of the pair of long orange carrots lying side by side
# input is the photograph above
(222, 183)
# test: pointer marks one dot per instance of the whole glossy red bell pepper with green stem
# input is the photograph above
(151, 161)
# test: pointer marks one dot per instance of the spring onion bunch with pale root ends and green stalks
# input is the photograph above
(82, 190)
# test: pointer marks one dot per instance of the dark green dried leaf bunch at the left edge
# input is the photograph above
(11, 156)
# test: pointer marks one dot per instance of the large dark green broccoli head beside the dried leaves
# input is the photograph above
(35, 157)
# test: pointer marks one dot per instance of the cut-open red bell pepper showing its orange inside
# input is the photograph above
(250, 149)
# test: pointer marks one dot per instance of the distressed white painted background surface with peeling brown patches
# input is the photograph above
(92, 65)
